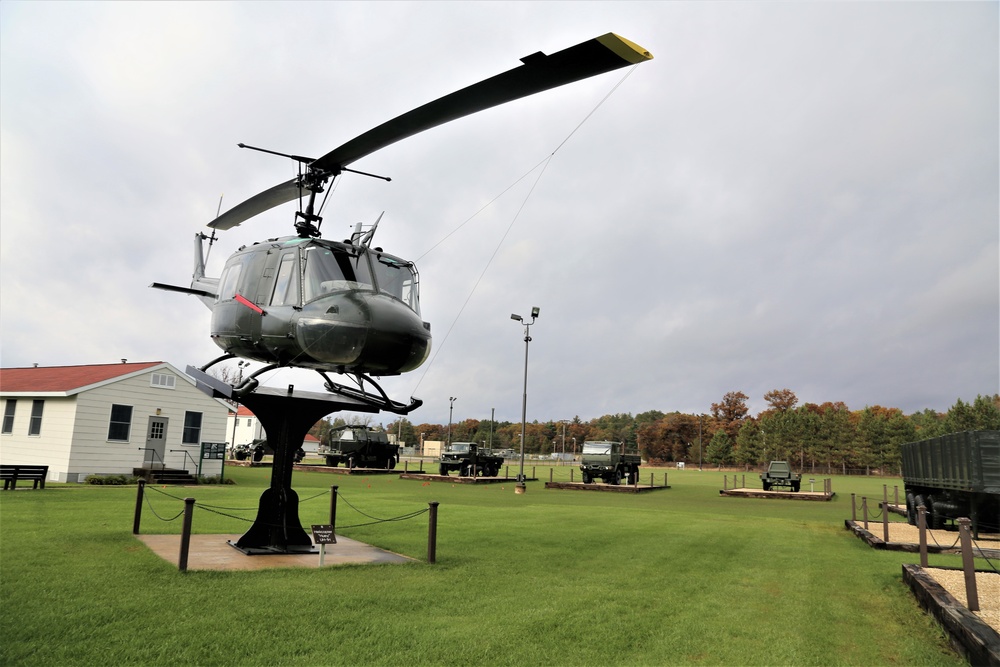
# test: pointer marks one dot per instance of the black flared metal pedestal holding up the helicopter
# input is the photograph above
(286, 416)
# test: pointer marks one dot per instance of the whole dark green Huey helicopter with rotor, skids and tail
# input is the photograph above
(347, 307)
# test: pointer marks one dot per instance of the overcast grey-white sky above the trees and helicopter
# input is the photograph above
(790, 195)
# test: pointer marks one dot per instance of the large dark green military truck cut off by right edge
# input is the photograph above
(954, 476)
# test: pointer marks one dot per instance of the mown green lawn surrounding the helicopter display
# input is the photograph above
(675, 576)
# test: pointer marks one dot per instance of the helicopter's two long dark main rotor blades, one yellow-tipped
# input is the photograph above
(538, 73)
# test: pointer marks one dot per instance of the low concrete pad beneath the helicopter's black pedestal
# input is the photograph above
(213, 552)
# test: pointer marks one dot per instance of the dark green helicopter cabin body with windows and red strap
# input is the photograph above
(321, 304)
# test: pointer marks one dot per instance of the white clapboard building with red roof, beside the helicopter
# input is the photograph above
(108, 419)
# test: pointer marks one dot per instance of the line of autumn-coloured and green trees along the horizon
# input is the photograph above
(828, 437)
